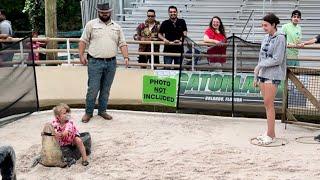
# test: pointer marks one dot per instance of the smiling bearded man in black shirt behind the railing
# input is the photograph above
(171, 32)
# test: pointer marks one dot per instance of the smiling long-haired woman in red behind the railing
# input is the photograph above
(215, 34)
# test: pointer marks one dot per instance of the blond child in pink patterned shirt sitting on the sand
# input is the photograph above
(66, 131)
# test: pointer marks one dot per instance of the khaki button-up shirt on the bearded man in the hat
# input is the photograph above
(103, 39)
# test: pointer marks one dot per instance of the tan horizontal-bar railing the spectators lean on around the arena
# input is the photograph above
(152, 53)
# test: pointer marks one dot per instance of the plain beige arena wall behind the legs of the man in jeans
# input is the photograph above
(69, 84)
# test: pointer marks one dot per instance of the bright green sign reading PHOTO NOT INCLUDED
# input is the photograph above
(159, 90)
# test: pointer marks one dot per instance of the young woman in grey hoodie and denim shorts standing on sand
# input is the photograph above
(269, 72)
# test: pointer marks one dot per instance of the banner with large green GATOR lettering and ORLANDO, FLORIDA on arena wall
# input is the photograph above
(217, 87)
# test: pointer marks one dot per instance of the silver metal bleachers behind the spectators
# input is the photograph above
(234, 14)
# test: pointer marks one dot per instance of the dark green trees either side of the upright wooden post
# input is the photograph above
(27, 15)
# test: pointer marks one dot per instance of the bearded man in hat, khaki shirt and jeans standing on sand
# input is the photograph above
(103, 37)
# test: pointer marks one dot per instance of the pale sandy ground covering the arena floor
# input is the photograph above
(143, 145)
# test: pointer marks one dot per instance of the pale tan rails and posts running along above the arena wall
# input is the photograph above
(68, 50)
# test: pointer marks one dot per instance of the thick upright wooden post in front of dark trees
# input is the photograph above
(51, 25)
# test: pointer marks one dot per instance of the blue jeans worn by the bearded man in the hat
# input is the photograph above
(100, 77)
